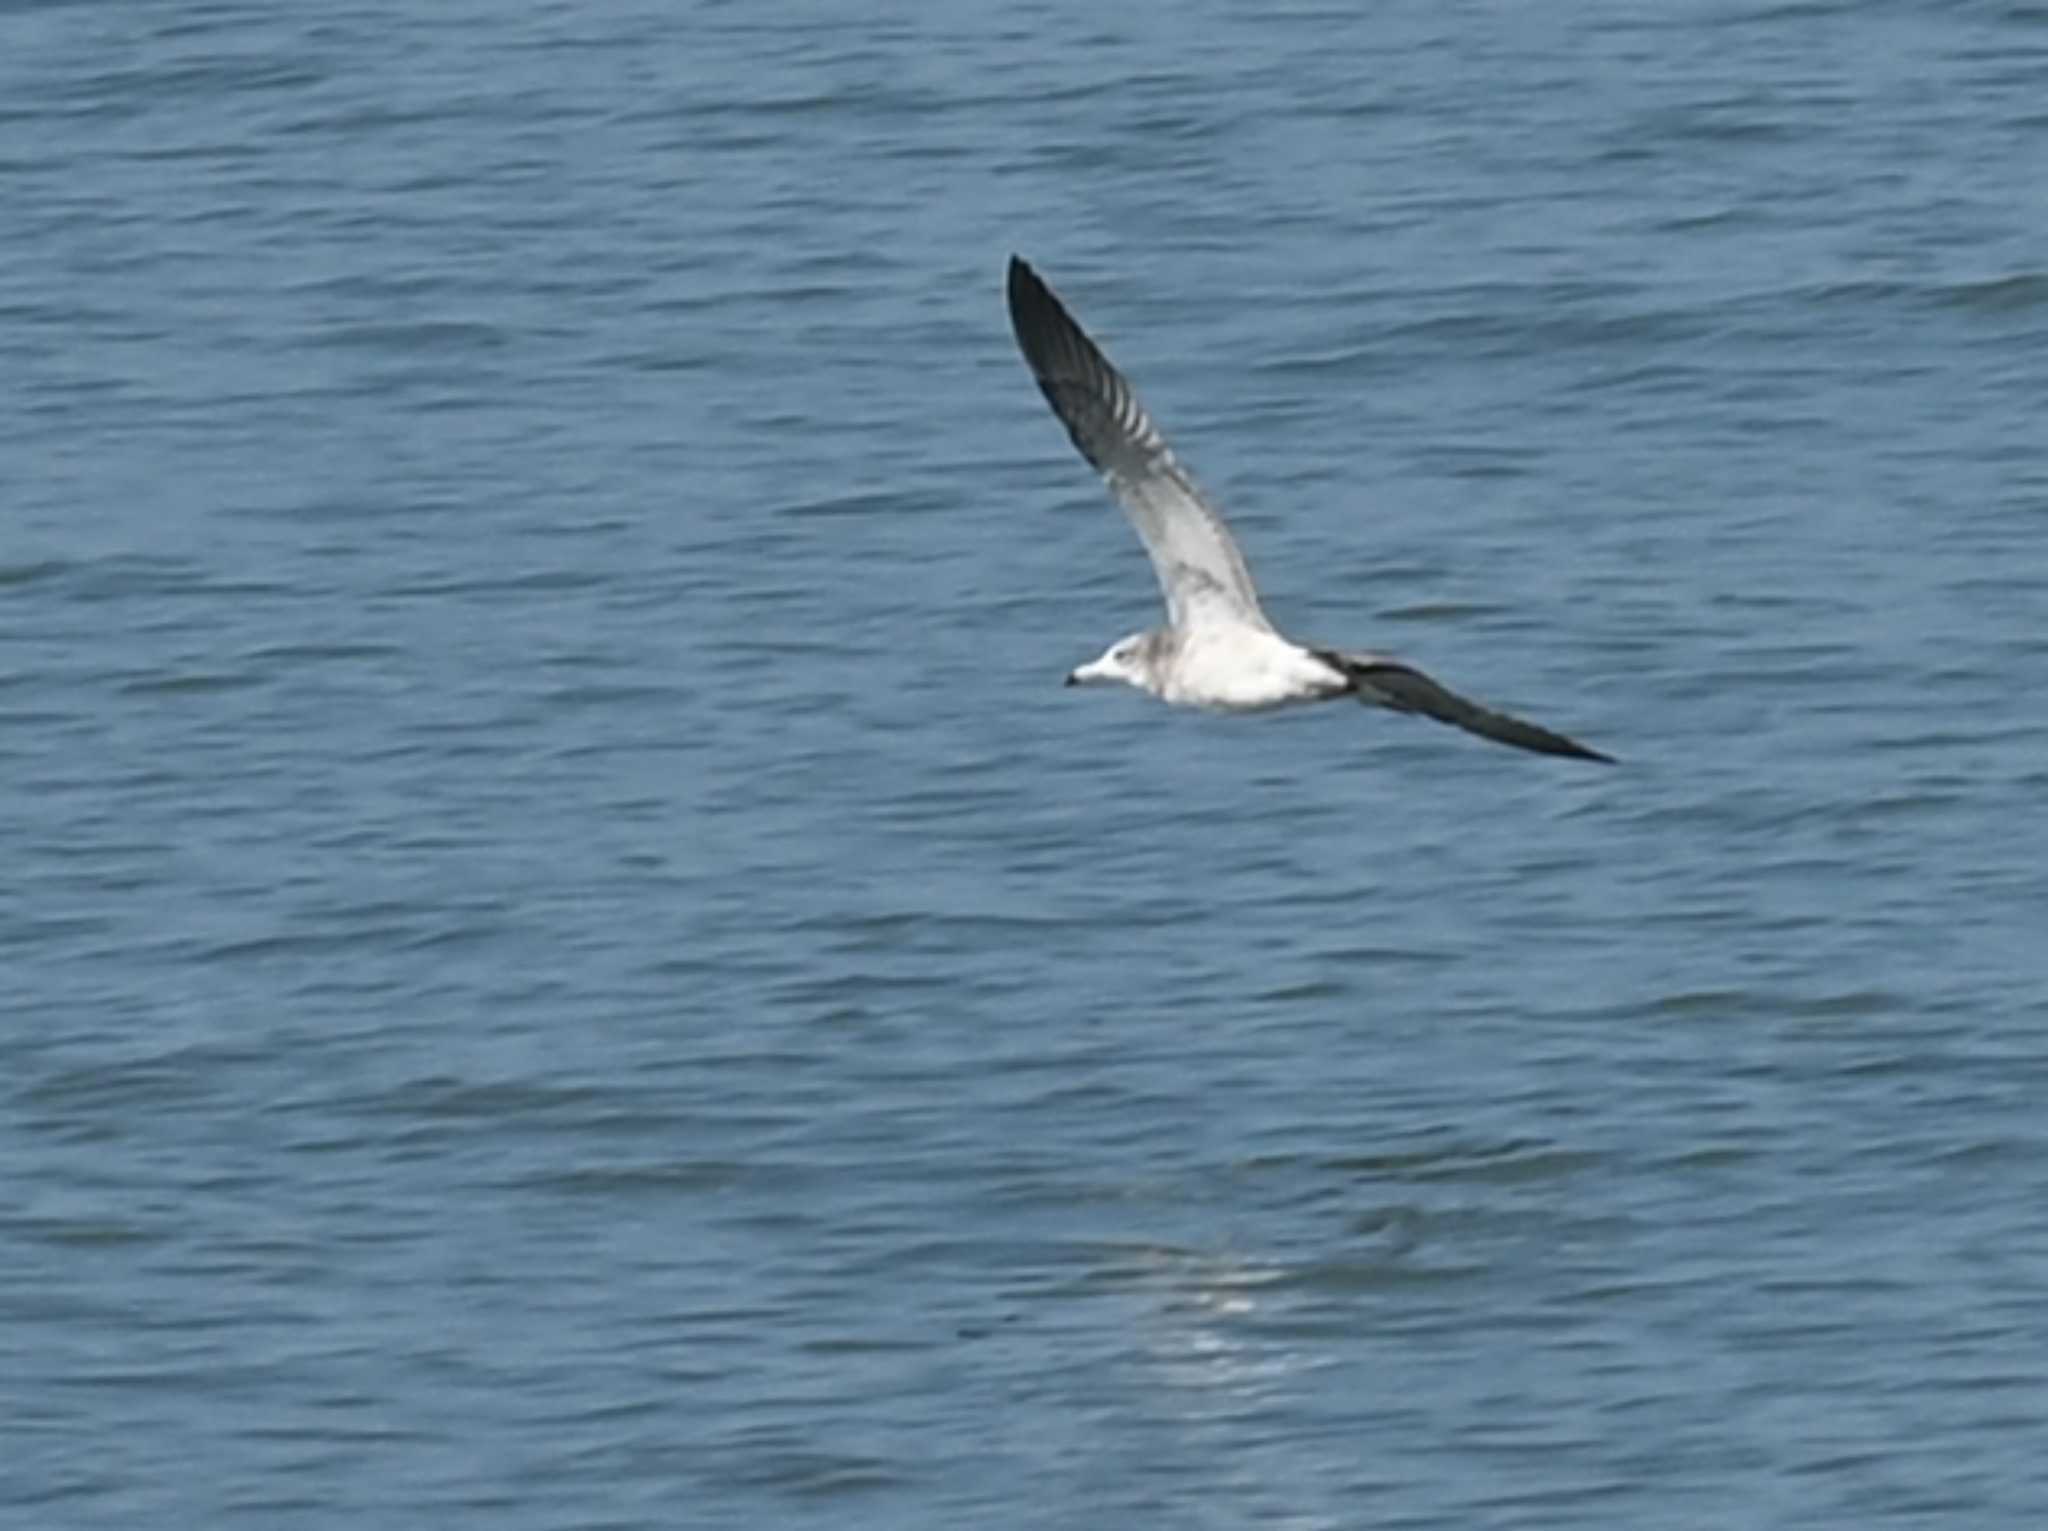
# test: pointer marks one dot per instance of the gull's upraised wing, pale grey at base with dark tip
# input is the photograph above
(1199, 566)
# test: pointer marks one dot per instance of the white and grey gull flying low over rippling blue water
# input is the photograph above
(1220, 650)
